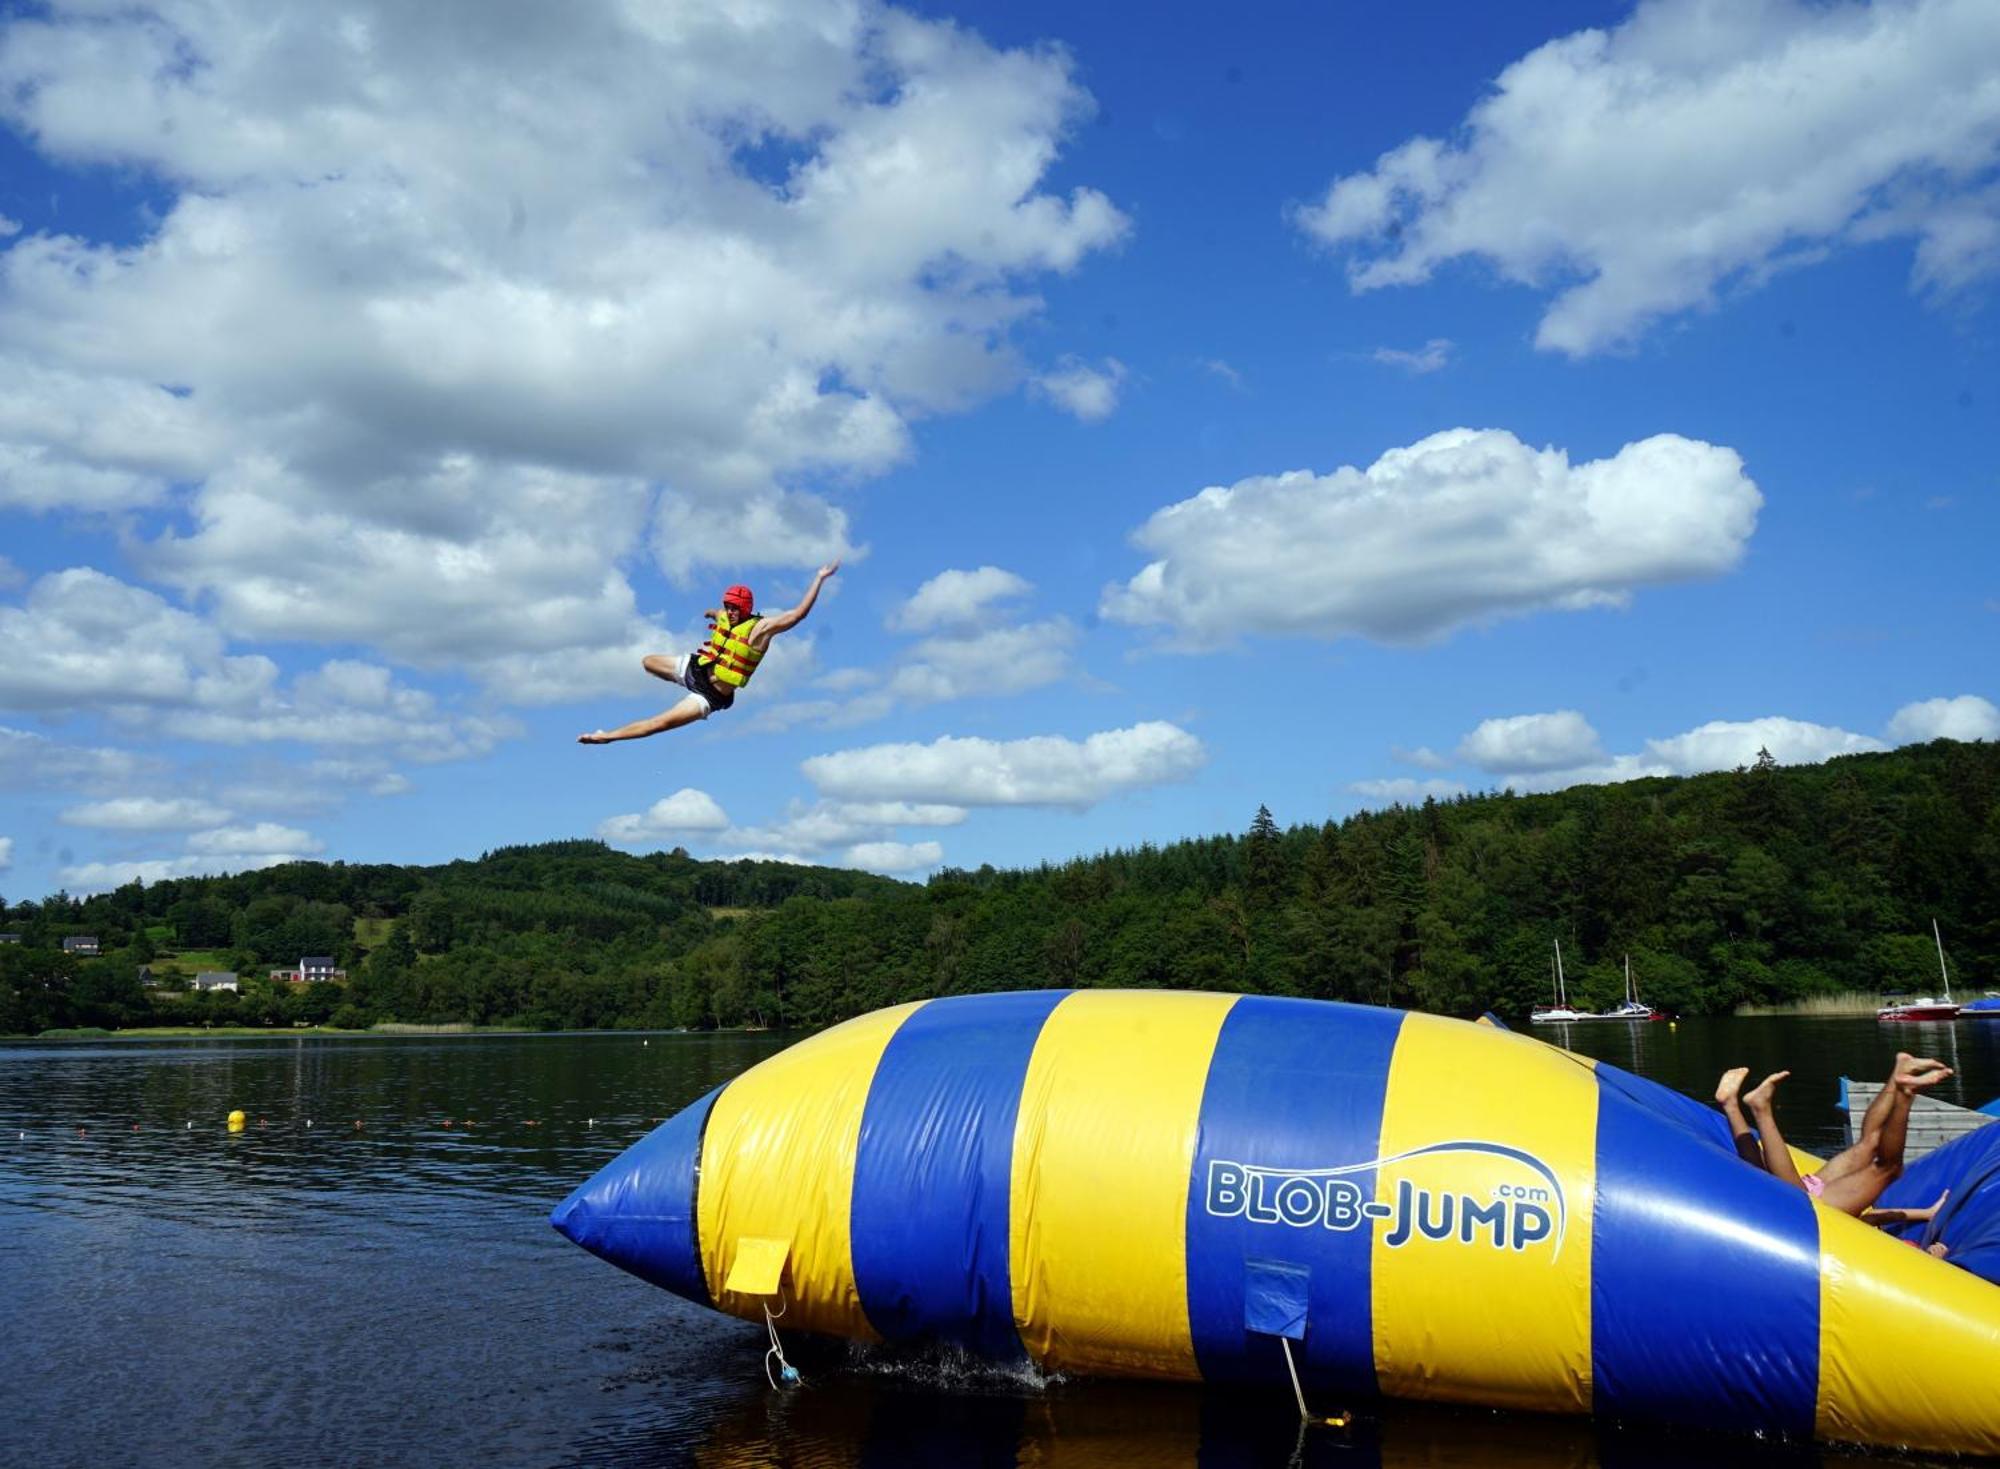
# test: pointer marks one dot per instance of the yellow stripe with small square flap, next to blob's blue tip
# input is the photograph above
(779, 1170)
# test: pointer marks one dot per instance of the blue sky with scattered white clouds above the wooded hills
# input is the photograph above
(1315, 409)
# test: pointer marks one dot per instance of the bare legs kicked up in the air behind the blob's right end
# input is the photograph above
(1857, 1178)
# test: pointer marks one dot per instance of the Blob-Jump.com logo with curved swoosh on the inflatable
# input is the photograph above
(1481, 1212)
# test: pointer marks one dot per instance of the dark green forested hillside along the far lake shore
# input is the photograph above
(1769, 884)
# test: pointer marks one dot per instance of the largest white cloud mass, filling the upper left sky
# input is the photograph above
(431, 355)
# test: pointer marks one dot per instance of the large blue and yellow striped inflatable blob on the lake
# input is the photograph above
(1193, 1188)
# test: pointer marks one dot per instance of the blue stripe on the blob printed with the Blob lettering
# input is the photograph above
(1295, 1086)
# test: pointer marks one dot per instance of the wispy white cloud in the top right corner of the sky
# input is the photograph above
(1699, 145)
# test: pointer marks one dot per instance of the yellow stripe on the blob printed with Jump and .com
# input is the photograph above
(1481, 1262)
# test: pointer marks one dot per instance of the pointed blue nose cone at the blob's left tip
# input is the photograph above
(639, 1210)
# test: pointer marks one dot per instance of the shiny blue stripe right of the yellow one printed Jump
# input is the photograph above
(1705, 1280)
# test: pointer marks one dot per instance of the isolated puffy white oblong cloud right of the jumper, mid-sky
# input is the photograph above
(1461, 527)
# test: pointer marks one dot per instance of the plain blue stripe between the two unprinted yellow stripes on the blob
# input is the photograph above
(933, 1172)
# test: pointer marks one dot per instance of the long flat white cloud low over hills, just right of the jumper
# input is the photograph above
(1041, 772)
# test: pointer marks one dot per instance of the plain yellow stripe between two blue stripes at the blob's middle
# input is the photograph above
(1103, 1152)
